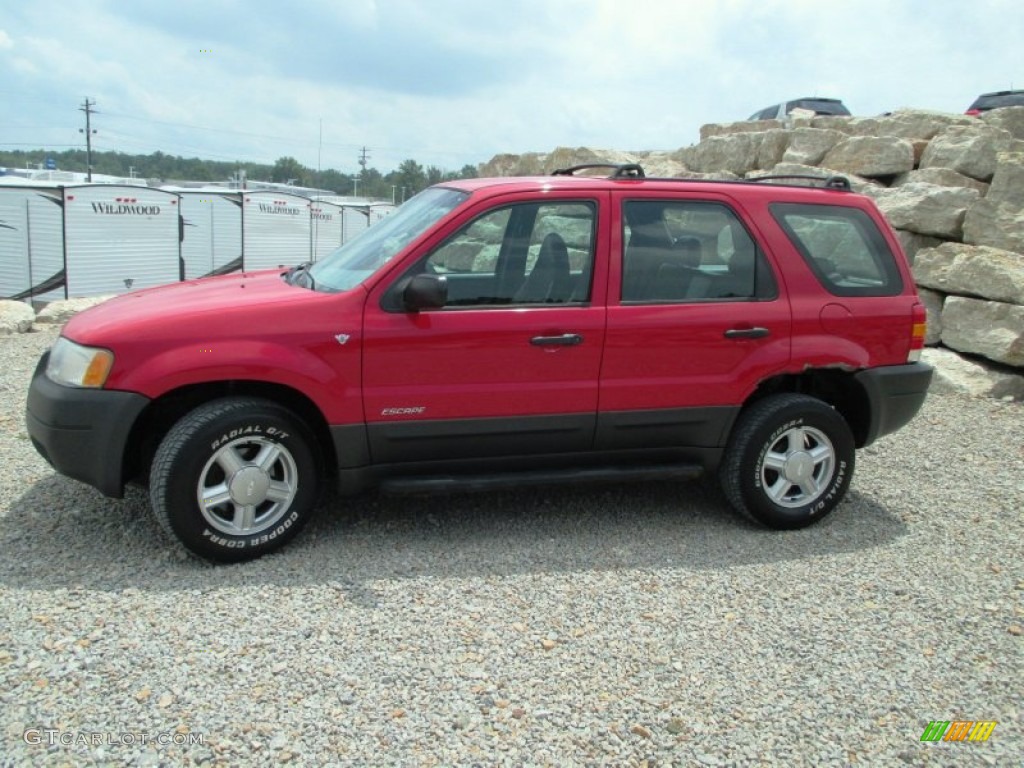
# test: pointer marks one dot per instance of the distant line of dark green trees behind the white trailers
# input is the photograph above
(409, 179)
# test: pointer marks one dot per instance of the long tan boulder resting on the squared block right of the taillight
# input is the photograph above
(972, 271)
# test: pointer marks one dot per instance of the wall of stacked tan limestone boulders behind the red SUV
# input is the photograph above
(952, 186)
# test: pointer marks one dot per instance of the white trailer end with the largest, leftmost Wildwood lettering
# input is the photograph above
(120, 238)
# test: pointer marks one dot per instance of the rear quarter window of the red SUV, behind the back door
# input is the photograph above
(843, 247)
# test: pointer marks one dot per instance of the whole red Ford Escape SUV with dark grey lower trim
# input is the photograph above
(501, 332)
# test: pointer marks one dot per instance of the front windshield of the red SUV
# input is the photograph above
(354, 263)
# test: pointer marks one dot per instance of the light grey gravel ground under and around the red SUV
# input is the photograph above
(626, 626)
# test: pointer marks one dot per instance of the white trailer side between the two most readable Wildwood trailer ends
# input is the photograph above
(211, 232)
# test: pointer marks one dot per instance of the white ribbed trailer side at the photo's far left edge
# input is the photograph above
(32, 266)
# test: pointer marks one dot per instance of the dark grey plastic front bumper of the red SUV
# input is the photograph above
(82, 433)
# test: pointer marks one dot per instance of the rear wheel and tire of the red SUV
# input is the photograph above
(790, 461)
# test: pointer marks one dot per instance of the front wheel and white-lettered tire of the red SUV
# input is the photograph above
(235, 480)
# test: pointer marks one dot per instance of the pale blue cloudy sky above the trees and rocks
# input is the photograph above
(456, 82)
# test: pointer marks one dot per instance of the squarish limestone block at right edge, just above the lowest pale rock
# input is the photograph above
(992, 329)
